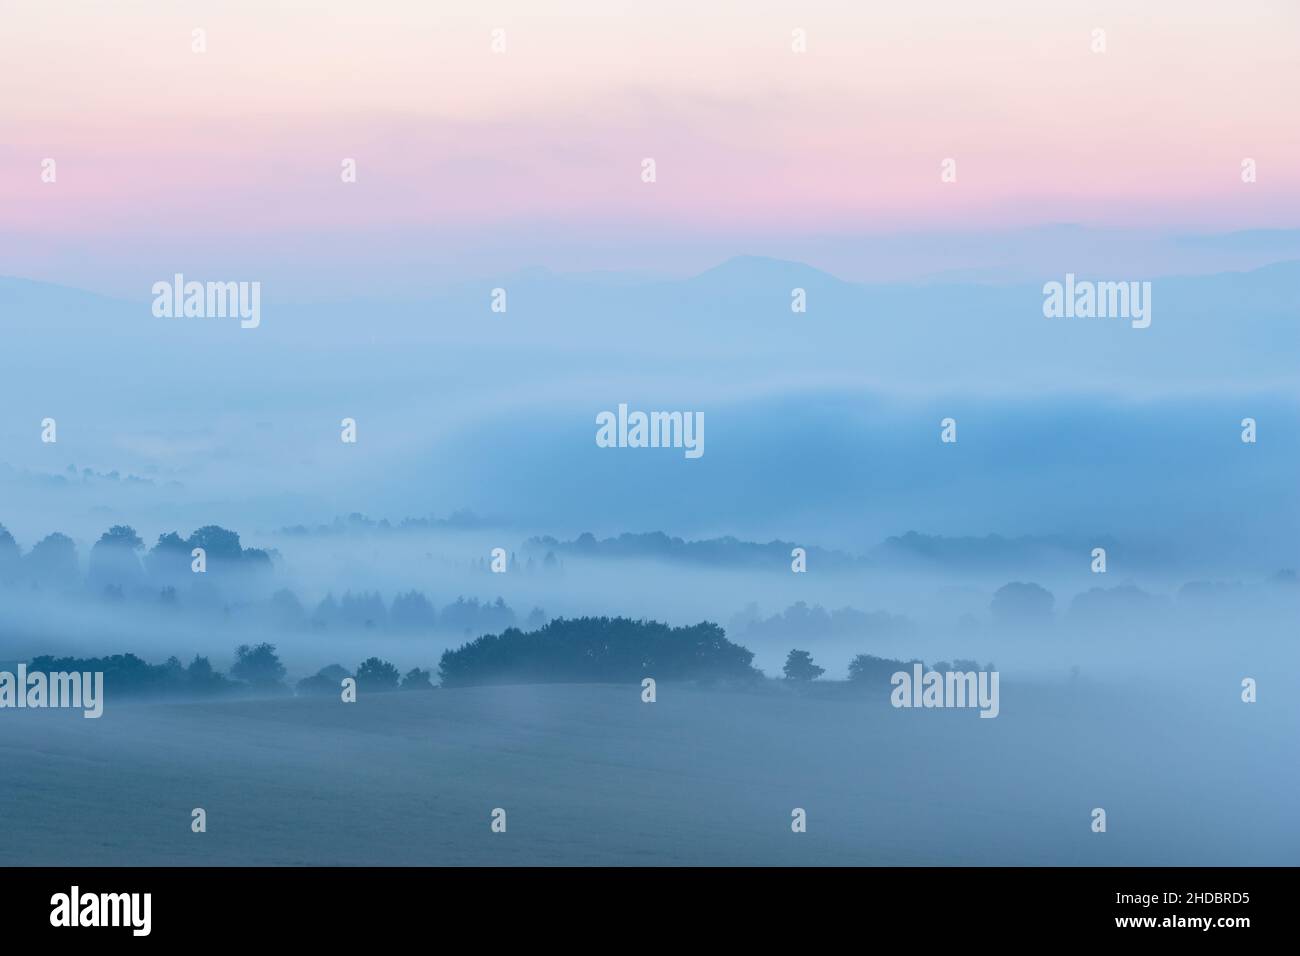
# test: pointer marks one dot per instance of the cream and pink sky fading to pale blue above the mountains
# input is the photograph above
(474, 163)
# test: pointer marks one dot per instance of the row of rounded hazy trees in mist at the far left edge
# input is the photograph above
(119, 564)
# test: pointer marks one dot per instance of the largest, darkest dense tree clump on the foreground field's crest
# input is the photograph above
(599, 650)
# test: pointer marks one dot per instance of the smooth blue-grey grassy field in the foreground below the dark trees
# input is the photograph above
(590, 775)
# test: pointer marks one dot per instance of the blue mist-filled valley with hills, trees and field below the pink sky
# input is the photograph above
(1098, 531)
